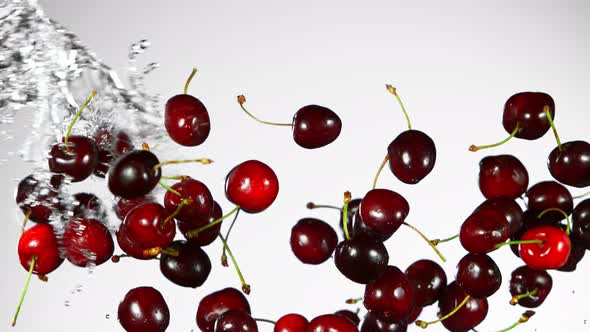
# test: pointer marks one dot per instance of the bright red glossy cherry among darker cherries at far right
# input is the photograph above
(553, 251)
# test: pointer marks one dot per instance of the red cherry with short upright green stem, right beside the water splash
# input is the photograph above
(186, 118)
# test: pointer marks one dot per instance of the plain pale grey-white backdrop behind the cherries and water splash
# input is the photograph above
(454, 63)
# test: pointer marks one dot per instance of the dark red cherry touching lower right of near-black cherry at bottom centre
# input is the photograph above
(390, 296)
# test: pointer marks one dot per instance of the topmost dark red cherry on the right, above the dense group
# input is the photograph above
(528, 110)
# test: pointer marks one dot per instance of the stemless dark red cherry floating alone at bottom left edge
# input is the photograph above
(144, 309)
